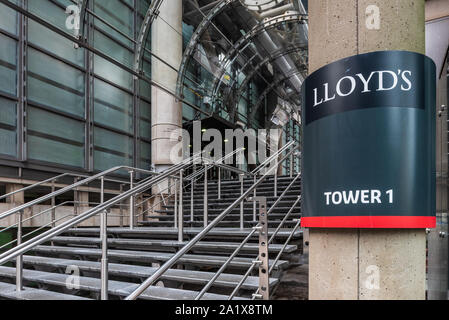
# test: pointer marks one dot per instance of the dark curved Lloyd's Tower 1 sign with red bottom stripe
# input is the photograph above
(369, 143)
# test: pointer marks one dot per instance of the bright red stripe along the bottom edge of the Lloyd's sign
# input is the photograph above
(374, 222)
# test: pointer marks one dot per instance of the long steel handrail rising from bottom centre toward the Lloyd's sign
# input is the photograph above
(172, 261)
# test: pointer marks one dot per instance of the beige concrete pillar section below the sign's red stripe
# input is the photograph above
(351, 264)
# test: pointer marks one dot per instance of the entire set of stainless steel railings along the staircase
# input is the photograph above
(175, 173)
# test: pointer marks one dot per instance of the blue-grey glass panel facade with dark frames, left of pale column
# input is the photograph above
(65, 106)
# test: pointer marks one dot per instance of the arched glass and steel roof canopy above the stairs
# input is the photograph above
(237, 59)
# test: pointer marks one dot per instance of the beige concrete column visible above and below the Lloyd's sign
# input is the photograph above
(346, 264)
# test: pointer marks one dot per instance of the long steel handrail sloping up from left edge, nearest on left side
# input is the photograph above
(46, 236)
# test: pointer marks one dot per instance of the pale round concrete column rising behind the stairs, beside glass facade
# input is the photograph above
(166, 110)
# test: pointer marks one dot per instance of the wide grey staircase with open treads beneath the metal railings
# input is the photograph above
(69, 265)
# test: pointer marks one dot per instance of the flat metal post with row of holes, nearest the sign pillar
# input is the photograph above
(264, 276)
